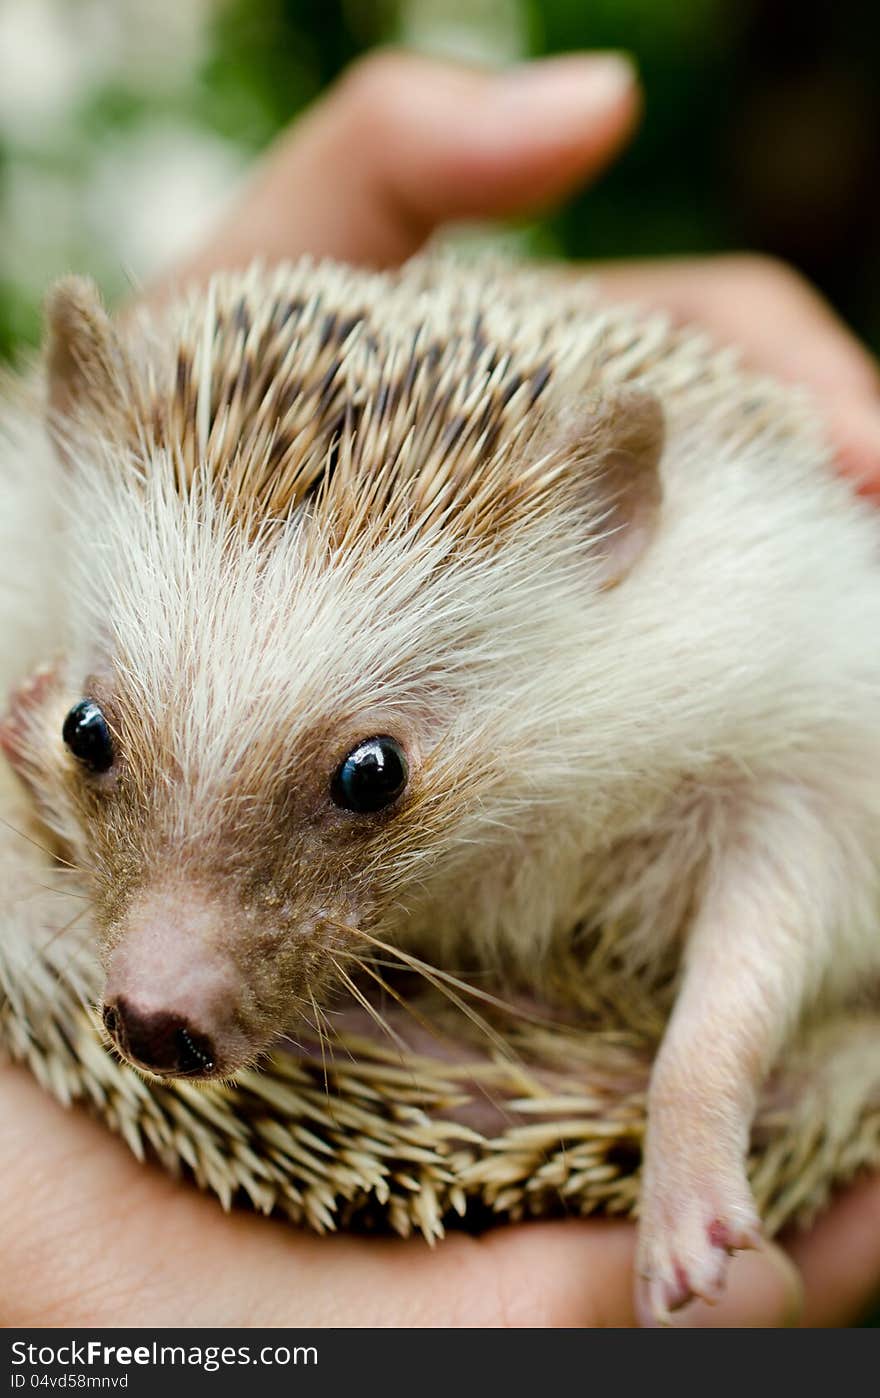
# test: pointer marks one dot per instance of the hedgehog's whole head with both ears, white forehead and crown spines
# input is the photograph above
(306, 697)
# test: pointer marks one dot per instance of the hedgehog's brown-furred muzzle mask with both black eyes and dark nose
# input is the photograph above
(220, 926)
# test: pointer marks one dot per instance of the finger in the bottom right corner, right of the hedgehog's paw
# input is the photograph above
(840, 1258)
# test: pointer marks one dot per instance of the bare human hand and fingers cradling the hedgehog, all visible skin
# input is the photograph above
(92, 1237)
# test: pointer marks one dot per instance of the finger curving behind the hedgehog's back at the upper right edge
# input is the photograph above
(786, 329)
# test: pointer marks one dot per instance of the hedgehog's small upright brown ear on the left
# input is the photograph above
(85, 359)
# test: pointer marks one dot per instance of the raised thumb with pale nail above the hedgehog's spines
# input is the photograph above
(405, 143)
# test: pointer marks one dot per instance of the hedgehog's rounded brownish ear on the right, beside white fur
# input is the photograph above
(618, 445)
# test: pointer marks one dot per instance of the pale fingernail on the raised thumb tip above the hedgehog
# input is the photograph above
(565, 90)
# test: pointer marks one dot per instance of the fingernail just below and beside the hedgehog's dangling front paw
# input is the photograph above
(763, 1292)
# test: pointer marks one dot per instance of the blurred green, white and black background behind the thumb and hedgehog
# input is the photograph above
(125, 125)
